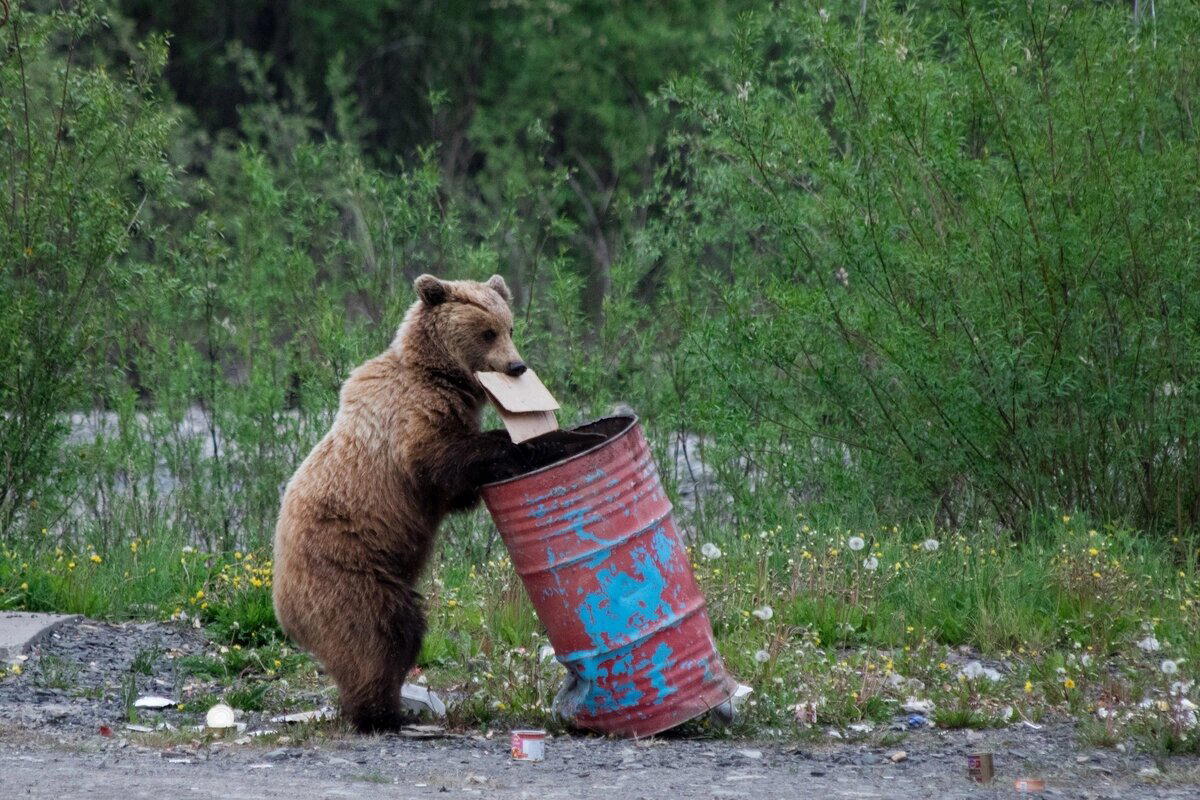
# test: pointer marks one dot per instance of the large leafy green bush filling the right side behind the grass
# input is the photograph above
(955, 256)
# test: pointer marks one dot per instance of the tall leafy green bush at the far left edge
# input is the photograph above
(83, 157)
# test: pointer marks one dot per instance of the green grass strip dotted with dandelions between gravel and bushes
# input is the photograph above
(1065, 610)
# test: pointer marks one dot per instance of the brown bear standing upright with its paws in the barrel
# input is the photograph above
(359, 518)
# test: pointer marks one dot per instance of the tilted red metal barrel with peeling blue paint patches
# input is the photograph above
(593, 540)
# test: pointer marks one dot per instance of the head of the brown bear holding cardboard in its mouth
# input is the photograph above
(470, 324)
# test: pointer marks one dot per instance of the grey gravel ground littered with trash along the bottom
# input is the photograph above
(51, 748)
